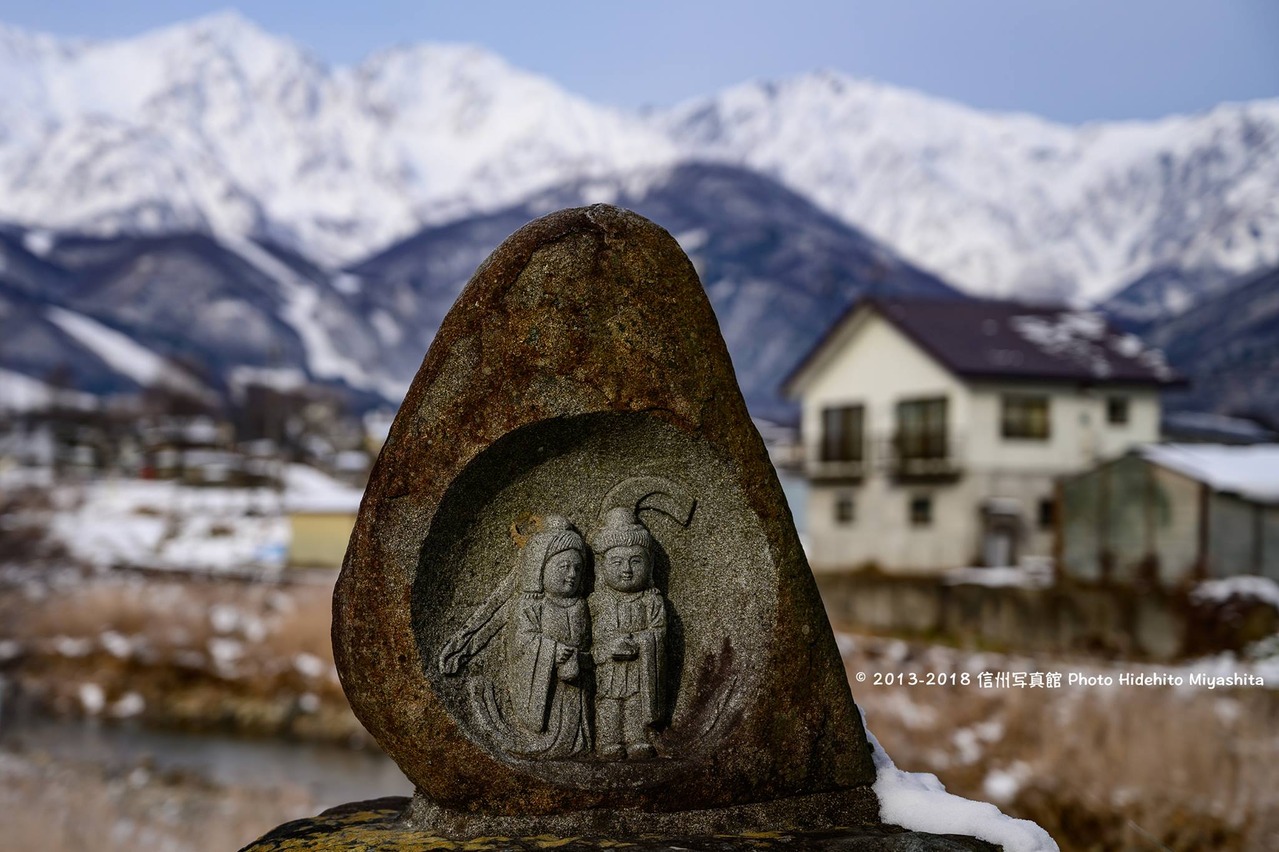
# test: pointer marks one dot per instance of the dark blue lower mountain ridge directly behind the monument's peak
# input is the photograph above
(212, 315)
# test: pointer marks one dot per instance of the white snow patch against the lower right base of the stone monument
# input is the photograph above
(920, 803)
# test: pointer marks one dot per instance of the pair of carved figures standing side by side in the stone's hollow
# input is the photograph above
(584, 672)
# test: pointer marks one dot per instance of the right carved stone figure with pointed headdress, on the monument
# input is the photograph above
(630, 645)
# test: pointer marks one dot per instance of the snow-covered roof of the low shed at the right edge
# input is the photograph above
(1253, 473)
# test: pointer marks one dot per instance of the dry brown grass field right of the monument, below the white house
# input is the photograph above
(1120, 768)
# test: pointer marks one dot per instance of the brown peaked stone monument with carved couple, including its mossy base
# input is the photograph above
(575, 606)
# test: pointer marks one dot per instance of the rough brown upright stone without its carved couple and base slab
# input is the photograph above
(584, 352)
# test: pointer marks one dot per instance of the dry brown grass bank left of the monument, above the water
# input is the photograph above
(201, 656)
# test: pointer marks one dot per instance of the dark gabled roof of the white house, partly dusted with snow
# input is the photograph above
(989, 340)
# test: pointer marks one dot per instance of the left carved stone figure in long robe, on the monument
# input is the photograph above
(551, 631)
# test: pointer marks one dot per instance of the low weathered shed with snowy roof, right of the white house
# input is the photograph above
(1173, 514)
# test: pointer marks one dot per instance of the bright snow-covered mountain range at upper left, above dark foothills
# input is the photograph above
(218, 125)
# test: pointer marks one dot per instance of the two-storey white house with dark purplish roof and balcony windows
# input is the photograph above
(934, 430)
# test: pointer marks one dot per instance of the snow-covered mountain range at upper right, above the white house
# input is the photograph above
(1010, 205)
